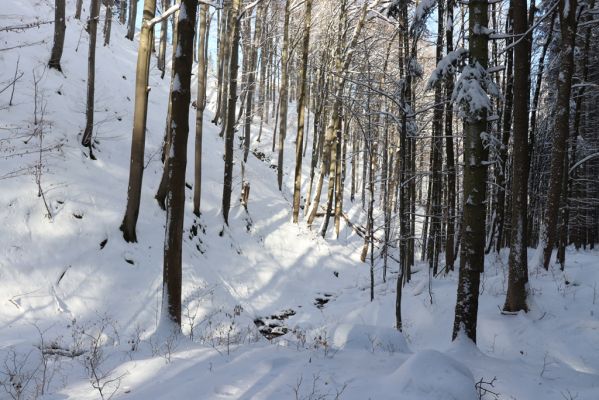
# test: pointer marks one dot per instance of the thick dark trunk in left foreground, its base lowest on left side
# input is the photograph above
(177, 161)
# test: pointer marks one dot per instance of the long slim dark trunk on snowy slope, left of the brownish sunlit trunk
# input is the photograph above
(86, 140)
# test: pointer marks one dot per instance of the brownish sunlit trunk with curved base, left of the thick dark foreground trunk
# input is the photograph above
(140, 112)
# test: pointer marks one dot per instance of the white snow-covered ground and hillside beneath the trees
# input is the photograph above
(69, 283)
